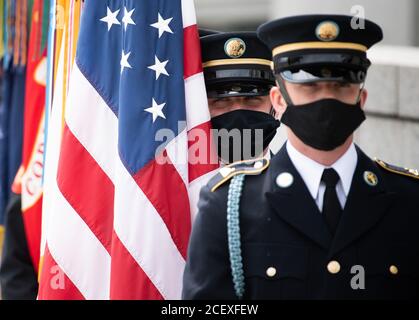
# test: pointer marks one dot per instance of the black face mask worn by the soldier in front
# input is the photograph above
(323, 124)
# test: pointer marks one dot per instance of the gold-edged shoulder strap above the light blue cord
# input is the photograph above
(247, 167)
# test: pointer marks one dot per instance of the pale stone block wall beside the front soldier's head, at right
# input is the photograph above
(391, 131)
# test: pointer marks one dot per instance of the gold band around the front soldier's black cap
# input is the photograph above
(318, 45)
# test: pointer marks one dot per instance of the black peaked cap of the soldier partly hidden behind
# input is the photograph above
(236, 64)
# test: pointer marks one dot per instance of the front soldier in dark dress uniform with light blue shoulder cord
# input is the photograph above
(321, 220)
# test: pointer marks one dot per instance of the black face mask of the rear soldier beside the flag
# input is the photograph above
(247, 133)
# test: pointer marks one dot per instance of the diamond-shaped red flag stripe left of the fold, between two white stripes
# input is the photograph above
(91, 197)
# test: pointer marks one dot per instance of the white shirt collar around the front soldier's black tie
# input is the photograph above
(312, 171)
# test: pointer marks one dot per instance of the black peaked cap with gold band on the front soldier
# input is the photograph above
(312, 48)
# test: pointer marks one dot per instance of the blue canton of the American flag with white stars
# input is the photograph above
(135, 61)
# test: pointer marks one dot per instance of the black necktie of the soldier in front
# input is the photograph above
(331, 205)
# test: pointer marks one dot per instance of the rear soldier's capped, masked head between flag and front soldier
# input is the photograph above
(238, 79)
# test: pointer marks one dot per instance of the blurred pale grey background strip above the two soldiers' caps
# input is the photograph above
(399, 19)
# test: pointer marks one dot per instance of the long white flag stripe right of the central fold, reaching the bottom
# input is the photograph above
(143, 232)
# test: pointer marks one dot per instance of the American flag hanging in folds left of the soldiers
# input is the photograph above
(119, 218)
